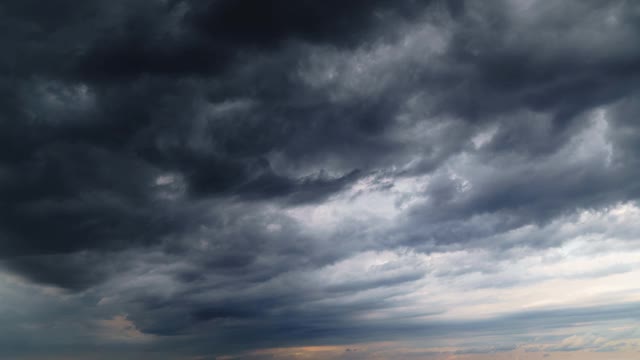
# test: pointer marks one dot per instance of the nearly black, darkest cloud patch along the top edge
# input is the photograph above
(177, 38)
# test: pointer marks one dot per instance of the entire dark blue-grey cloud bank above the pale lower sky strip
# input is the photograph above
(176, 138)
